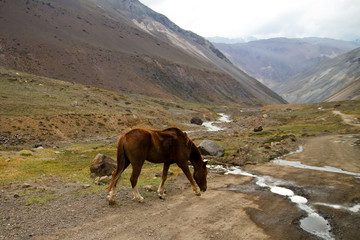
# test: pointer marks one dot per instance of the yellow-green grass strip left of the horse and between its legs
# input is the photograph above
(69, 164)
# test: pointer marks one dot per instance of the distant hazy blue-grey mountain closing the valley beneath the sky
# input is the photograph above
(273, 61)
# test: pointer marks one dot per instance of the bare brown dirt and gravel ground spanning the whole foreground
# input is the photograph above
(234, 207)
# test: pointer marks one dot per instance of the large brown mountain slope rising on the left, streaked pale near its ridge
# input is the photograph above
(123, 46)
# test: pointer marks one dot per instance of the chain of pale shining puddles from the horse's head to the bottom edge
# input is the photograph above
(312, 223)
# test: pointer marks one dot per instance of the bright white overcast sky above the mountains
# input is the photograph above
(338, 19)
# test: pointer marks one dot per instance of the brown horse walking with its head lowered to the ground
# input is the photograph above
(168, 146)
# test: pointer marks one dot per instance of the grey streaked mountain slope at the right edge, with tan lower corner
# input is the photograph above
(332, 80)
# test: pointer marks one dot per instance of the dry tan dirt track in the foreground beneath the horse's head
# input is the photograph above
(214, 215)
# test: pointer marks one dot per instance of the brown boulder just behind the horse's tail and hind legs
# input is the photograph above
(102, 165)
